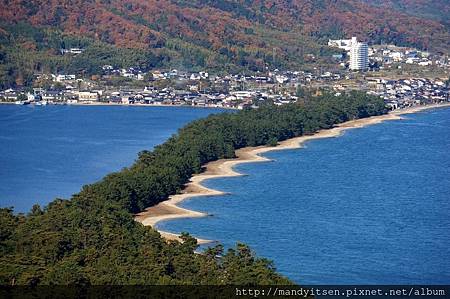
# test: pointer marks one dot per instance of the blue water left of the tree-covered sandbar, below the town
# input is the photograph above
(52, 151)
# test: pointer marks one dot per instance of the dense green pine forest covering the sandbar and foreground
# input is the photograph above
(92, 238)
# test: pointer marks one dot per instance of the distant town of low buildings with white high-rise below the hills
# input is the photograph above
(359, 66)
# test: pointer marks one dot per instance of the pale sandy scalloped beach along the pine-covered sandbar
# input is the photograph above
(169, 209)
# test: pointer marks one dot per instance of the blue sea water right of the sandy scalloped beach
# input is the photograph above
(369, 207)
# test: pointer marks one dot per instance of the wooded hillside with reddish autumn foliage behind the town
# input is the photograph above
(228, 35)
